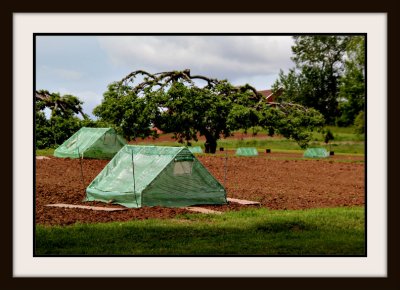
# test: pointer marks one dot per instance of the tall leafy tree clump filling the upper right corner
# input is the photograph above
(328, 76)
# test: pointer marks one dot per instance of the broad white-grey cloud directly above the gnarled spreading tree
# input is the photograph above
(228, 57)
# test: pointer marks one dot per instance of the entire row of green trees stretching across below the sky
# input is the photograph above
(326, 86)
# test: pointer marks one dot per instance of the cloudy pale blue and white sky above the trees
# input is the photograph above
(84, 65)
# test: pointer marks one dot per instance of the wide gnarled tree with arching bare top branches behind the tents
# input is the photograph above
(194, 105)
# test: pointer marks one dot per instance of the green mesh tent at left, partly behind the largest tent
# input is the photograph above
(100, 143)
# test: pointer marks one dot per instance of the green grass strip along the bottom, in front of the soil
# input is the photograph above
(331, 231)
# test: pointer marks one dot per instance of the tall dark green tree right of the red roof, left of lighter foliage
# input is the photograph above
(314, 82)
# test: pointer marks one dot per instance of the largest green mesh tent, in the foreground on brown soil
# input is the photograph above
(155, 176)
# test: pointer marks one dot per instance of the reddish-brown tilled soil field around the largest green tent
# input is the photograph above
(272, 180)
